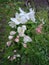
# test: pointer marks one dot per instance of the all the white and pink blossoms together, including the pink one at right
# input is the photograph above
(21, 18)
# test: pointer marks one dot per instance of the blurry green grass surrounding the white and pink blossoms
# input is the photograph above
(37, 52)
